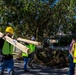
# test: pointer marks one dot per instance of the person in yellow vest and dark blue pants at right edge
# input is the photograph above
(72, 58)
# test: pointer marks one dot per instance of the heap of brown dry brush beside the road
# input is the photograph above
(53, 58)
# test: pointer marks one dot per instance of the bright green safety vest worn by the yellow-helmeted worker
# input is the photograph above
(7, 48)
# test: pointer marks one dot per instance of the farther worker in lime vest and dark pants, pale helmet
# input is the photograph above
(31, 55)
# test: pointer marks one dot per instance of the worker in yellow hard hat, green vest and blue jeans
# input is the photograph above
(7, 51)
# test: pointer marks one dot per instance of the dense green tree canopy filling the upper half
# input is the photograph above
(37, 17)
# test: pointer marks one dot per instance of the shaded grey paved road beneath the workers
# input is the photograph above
(38, 70)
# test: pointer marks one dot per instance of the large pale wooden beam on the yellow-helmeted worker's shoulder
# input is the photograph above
(16, 44)
